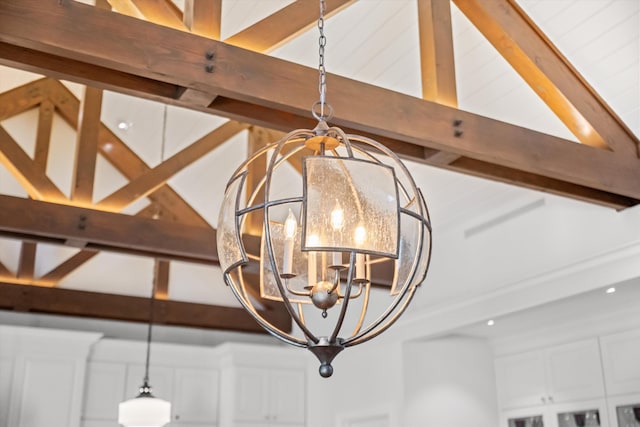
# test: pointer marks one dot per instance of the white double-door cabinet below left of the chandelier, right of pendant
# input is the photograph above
(268, 390)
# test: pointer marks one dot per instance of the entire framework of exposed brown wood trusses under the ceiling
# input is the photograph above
(178, 58)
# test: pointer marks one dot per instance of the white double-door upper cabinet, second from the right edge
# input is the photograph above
(557, 374)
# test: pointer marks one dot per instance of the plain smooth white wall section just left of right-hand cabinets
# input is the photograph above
(449, 382)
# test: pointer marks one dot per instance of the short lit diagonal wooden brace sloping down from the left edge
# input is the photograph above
(26, 172)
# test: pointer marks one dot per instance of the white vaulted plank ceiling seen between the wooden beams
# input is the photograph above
(490, 239)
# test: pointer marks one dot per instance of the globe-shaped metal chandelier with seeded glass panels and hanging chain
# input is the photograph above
(343, 247)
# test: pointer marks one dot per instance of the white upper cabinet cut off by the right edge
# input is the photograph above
(620, 356)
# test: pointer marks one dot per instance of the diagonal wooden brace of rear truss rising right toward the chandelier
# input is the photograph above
(148, 182)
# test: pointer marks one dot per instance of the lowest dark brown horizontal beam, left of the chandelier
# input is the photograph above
(37, 299)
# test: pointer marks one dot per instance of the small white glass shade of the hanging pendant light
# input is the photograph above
(144, 411)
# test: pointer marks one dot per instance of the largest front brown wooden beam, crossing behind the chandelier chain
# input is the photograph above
(273, 88)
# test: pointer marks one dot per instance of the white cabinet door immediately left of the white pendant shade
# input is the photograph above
(104, 390)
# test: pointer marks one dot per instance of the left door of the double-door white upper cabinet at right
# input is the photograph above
(520, 380)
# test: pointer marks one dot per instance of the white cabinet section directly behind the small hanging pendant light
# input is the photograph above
(186, 376)
